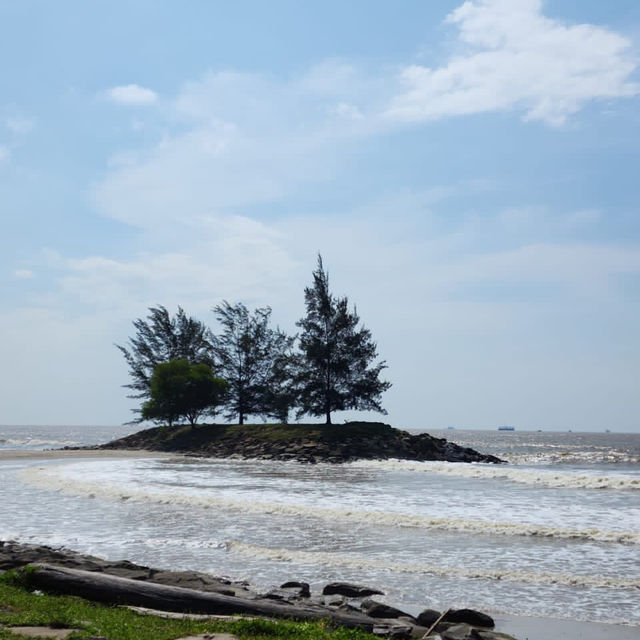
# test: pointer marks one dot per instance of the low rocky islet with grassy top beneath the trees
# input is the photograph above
(308, 443)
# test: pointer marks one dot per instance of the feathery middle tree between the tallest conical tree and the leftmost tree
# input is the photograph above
(252, 357)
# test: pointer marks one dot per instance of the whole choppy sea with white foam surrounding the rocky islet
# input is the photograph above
(553, 533)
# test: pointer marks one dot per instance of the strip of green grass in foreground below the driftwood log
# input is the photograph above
(20, 606)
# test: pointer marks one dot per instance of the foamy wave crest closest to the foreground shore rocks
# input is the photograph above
(366, 562)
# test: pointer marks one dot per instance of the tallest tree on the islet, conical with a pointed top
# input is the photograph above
(336, 369)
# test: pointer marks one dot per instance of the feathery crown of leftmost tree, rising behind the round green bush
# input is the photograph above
(160, 338)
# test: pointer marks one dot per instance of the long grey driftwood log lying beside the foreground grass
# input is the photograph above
(101, 587)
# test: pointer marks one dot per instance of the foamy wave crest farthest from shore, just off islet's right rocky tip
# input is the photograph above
(533, 477)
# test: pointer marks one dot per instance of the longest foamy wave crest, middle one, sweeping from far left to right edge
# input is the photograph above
(49, 478)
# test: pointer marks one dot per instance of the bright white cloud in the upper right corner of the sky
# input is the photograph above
(512, 57)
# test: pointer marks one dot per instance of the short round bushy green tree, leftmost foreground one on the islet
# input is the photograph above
(179, 389)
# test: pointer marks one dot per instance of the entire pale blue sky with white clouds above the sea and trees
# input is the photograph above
(469, 172)
